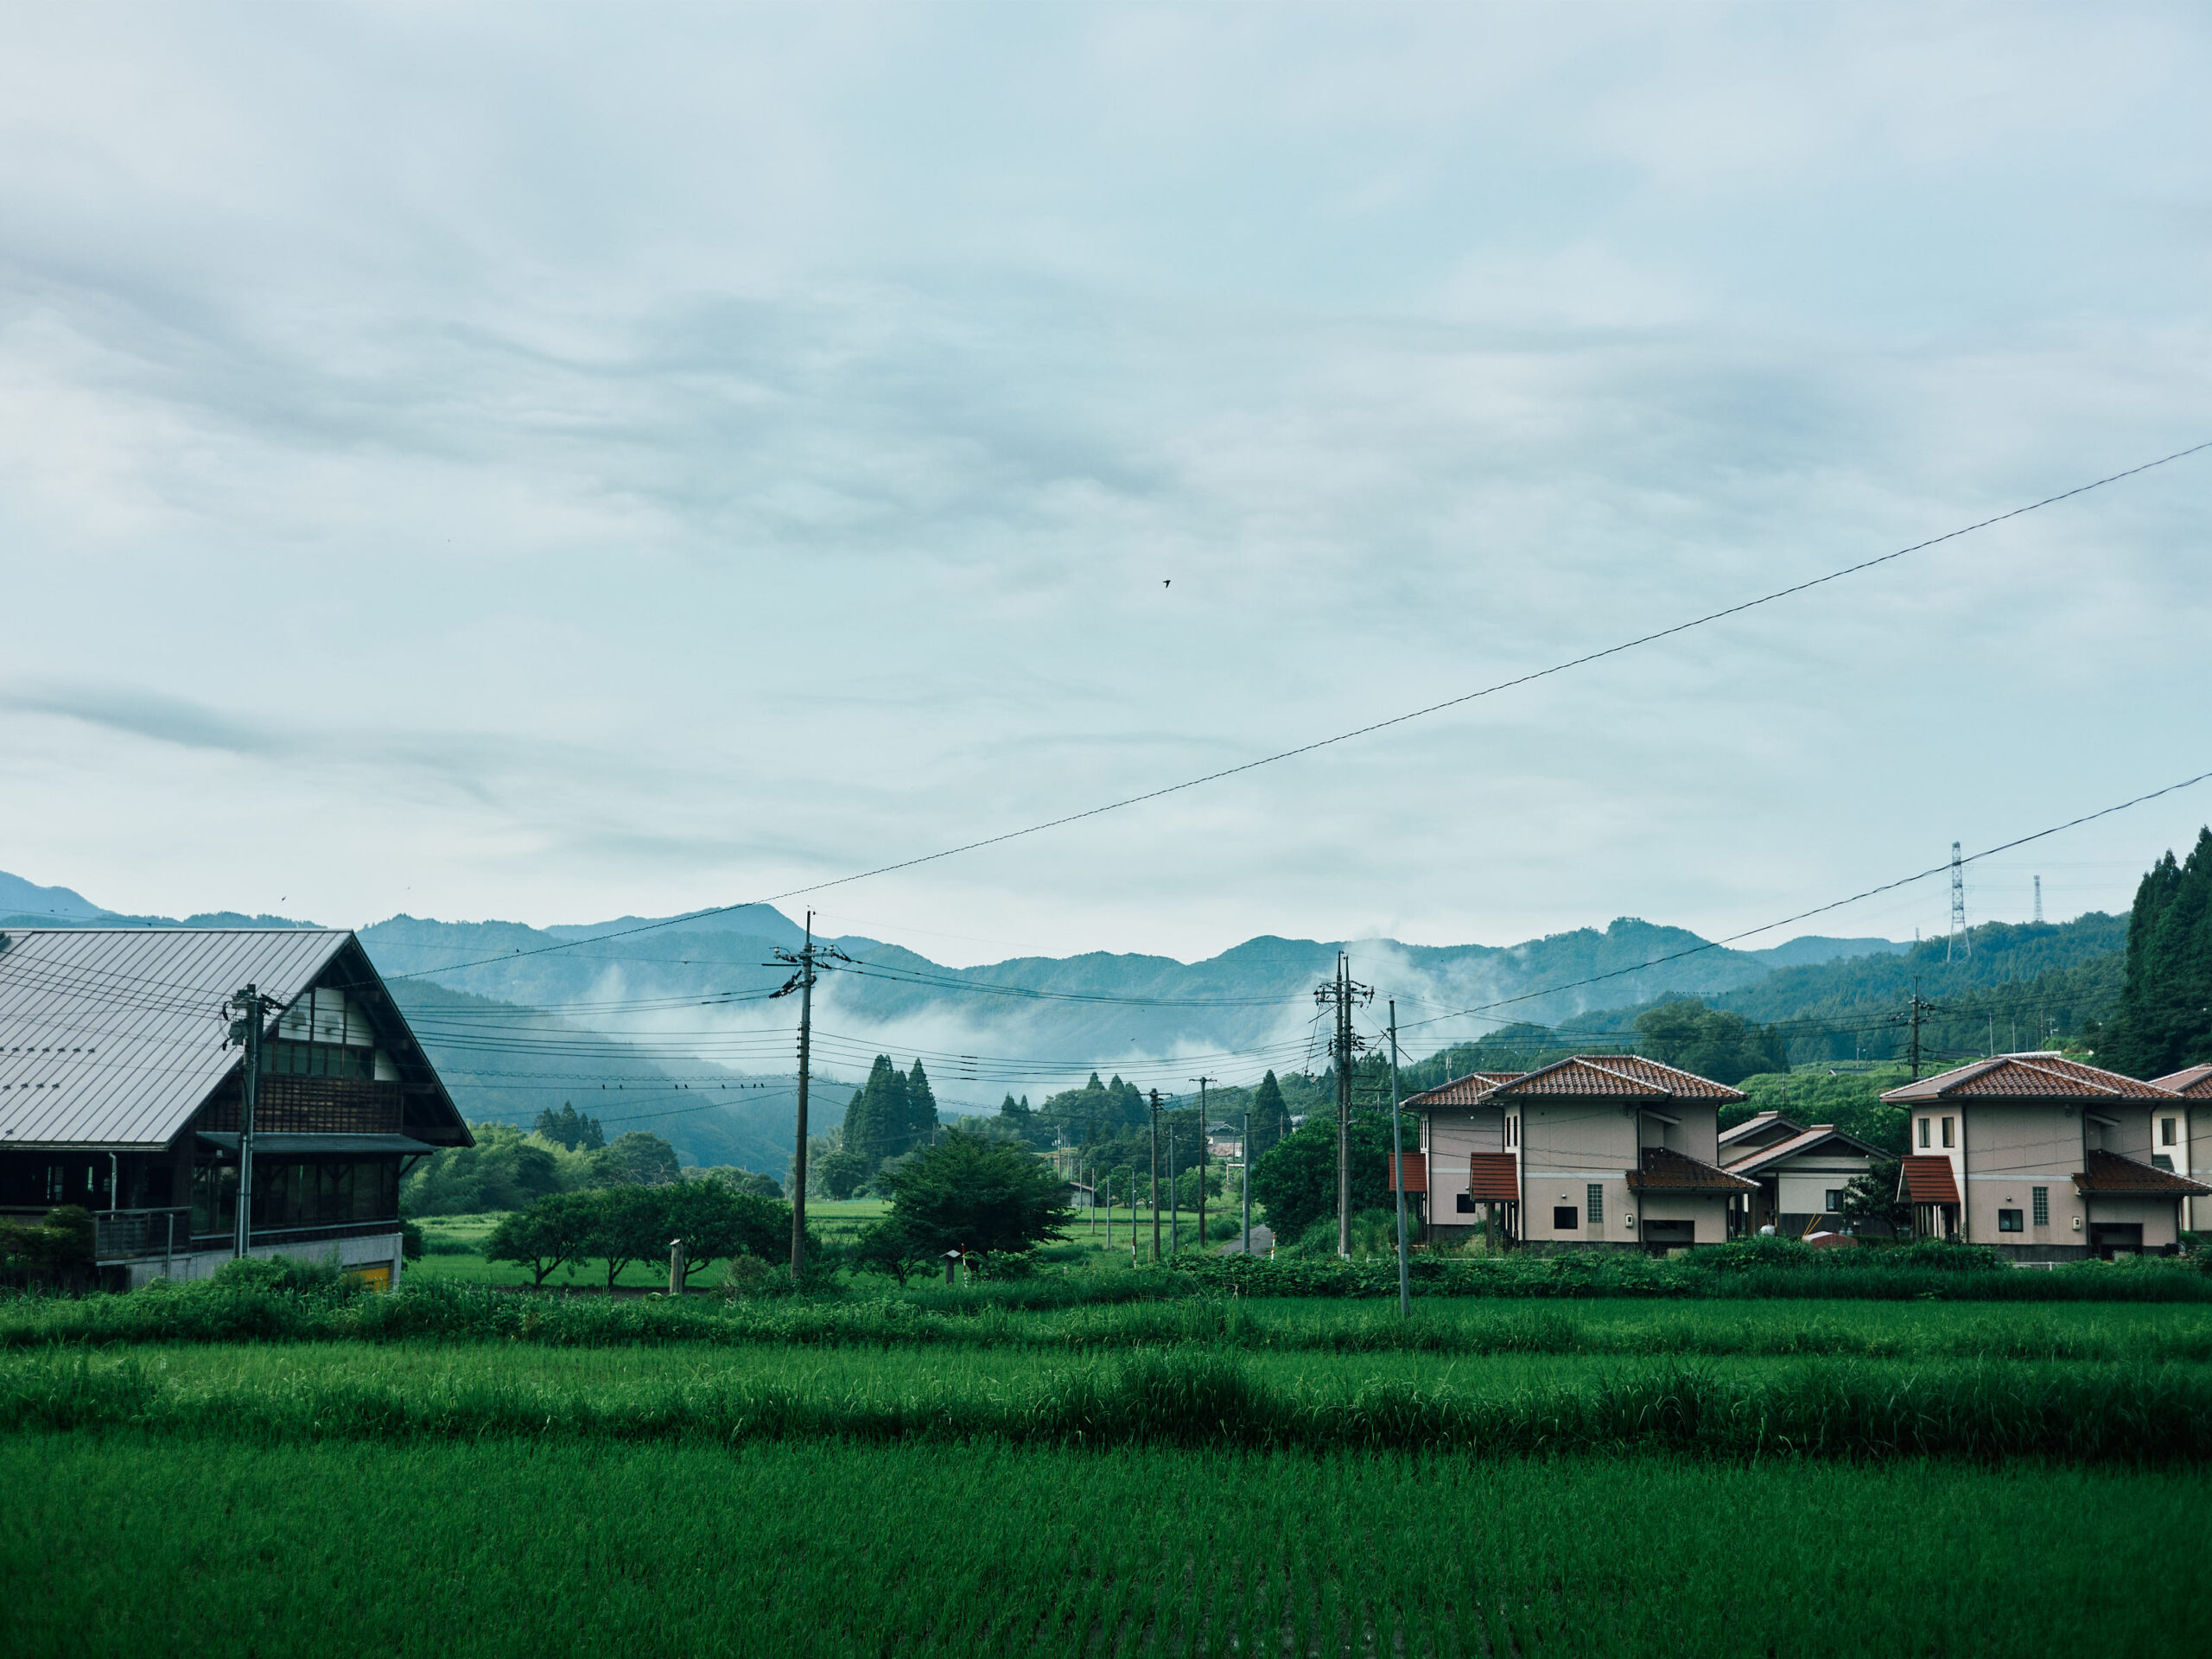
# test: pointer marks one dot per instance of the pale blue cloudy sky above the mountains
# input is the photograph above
(563, 463)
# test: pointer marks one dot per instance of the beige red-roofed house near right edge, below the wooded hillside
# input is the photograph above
(2047, 1158)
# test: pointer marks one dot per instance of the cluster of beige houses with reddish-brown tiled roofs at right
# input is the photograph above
(2036, 1156)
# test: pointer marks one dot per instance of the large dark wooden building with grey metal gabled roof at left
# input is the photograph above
(121, 1092)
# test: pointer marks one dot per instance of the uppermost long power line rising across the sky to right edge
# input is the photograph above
(1355, 733)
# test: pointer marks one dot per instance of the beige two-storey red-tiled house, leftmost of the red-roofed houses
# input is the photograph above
(1609, 1151)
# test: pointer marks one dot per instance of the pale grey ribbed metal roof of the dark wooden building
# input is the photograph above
(114, 1036)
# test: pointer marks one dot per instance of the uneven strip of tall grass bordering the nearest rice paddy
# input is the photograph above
(1196, 1399)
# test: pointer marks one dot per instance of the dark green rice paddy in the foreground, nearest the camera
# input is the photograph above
(839, 1550)
